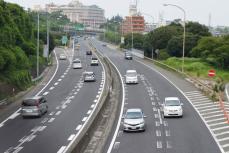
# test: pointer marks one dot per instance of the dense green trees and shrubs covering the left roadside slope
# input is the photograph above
(18, 47)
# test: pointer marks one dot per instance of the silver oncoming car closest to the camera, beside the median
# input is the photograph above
(134, 120)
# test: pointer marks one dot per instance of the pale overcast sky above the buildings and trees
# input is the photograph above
(196, 10)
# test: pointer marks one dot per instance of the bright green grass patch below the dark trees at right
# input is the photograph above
(197, 68)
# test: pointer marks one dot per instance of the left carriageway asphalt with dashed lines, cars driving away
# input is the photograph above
(70, 102)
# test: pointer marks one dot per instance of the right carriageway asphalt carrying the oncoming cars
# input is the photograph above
(174, 135)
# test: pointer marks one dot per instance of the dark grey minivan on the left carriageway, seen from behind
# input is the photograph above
(34, 106)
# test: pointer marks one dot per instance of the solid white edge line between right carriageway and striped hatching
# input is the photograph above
(221, 149)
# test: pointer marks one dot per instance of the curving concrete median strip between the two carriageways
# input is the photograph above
(94, 133)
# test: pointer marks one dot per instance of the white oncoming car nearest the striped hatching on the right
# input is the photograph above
(172, 107)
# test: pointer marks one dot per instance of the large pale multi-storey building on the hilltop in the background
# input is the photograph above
(90, 16)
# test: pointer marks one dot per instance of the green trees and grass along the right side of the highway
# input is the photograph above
(202, 50)
